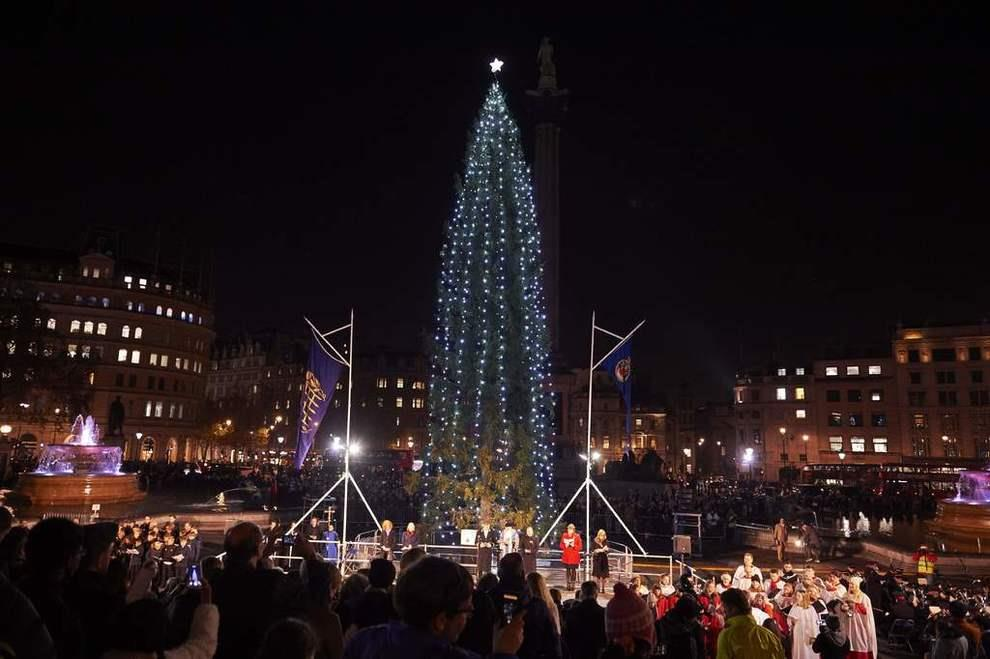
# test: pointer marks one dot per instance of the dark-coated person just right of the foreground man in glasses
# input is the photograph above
(542, 640)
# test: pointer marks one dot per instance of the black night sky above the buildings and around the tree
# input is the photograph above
(752, 185)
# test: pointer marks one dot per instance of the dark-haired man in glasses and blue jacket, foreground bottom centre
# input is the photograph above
(433, 599)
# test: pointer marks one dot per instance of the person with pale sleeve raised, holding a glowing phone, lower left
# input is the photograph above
(140, 632)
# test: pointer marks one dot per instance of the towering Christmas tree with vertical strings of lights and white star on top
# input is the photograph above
(490, 407)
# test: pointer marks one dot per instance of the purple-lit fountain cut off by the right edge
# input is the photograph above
(962, 523)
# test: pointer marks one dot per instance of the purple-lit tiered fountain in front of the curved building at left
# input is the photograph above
(79, 471)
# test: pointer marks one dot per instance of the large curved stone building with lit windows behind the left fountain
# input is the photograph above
(136, 334)
